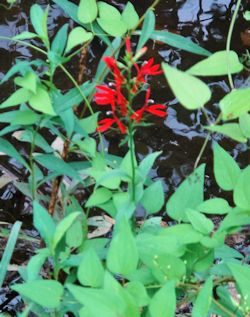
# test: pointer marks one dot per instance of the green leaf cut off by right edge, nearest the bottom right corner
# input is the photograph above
(241, 273)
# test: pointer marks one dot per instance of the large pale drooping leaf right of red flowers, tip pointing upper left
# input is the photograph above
(191, 92)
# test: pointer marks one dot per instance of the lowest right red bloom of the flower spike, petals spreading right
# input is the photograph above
(157, 109)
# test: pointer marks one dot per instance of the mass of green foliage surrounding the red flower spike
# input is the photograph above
(92, 264)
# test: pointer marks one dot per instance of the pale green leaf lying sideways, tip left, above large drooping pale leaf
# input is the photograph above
(217, 64)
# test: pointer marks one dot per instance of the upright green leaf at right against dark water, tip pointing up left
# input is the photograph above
(226, 170)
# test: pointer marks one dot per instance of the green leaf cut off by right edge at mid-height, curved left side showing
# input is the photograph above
(242, 190)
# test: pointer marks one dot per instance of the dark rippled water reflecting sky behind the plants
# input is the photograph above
(180, 136)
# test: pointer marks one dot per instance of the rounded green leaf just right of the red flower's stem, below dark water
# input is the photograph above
(153, 198)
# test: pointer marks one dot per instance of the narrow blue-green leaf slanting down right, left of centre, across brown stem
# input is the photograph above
(55, 164)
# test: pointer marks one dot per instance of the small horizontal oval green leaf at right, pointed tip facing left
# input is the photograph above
(214, 206)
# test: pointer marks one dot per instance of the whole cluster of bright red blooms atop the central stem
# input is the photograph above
(116, 99)
